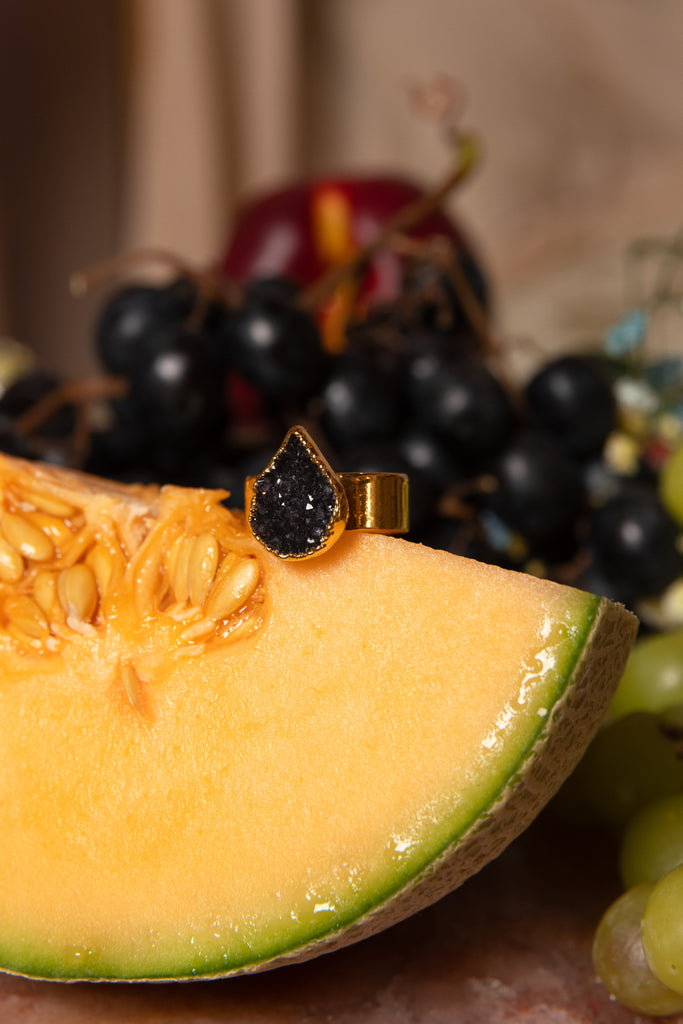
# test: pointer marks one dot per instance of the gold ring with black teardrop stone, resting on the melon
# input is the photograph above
(298, 507)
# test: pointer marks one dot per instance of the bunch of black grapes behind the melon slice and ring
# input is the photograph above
(515, 476)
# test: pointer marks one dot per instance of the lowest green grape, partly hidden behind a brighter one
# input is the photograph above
(620, 961)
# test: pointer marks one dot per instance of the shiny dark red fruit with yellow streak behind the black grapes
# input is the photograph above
(276, 234)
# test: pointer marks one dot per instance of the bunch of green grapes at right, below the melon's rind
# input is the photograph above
(632, 779)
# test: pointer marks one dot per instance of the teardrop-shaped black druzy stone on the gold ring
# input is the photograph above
(295, 503)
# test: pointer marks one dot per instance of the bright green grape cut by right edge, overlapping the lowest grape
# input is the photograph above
(663, 930)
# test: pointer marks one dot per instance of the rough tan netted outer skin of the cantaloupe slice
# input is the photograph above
(583, 699)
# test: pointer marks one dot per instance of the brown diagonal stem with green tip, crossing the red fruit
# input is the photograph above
(467, 152)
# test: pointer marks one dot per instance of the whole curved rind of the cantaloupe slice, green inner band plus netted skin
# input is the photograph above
(582, 695)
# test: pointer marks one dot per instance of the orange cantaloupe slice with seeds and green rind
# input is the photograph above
(215, 761)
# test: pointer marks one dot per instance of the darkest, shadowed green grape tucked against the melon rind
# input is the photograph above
(631, 762)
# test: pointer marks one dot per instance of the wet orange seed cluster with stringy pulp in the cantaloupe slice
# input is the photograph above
(64, 566)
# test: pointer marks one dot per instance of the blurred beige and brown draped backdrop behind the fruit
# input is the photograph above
(143, 122)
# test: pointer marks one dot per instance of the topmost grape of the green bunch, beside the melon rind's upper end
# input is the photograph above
(654, 676)
